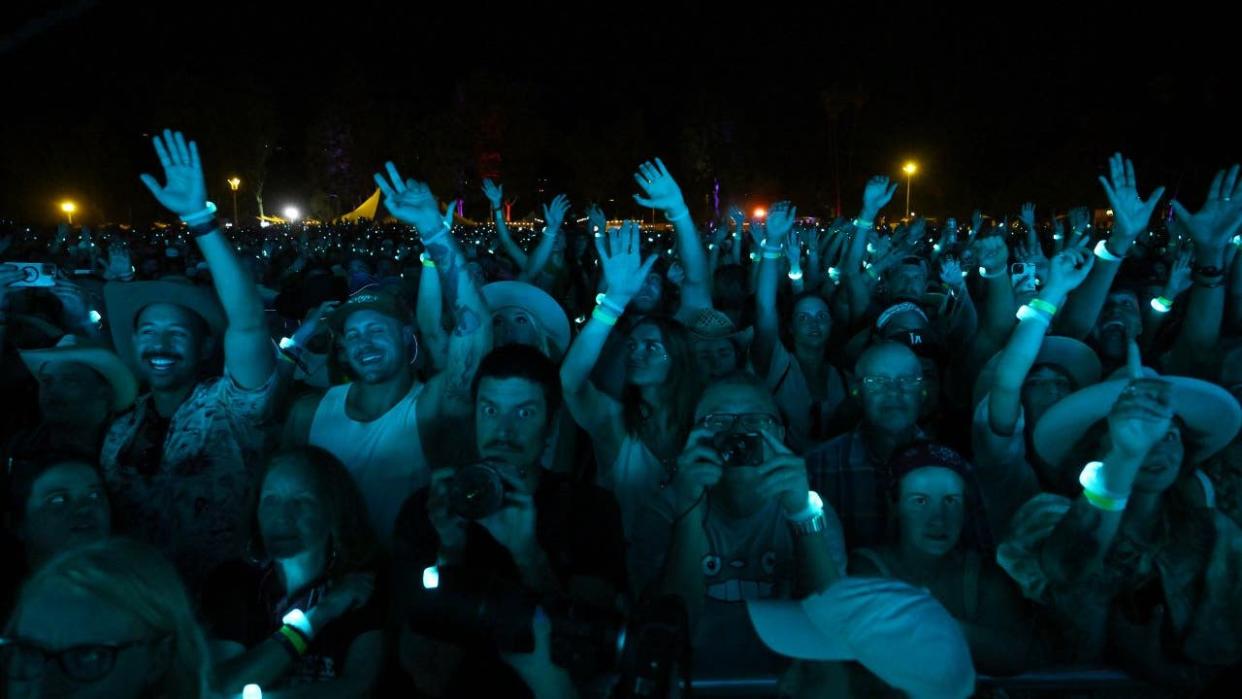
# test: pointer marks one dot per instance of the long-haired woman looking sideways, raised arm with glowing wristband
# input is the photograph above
(649, 425)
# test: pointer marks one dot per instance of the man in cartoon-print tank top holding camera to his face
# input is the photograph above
(738, 522)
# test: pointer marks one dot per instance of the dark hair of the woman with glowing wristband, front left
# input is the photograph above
(353, 541)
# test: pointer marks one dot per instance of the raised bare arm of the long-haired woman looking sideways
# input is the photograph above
(624, 274)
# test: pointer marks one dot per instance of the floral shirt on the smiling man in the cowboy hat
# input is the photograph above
(182, 485)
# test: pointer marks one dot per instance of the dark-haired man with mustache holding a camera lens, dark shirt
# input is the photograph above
(504, 530)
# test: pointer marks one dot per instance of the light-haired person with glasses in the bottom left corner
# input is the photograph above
(106, 620)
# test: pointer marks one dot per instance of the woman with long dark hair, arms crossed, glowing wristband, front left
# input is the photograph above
(305, 609)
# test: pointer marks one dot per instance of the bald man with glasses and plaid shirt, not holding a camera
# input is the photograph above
(849, 471)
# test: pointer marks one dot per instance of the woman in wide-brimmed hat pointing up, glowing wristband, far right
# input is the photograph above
(1132, 570)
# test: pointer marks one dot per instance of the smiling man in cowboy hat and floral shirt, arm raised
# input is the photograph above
(178, 466)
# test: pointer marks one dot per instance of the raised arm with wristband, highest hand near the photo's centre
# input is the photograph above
(661, 192)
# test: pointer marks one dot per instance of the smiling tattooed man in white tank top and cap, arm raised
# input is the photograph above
(383, 424)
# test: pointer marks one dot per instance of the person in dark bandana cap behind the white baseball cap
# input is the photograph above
(940, 543)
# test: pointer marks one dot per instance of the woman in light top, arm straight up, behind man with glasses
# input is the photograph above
(807, 387)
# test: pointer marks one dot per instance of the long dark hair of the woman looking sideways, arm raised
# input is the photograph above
(680, 393)
